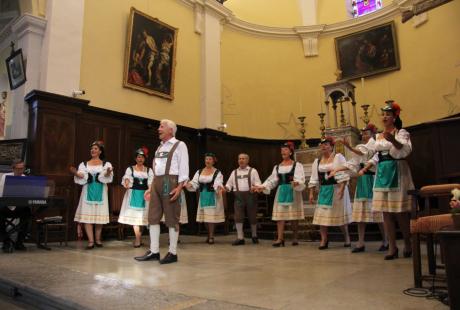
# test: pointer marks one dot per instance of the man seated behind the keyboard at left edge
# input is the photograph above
(20, 218)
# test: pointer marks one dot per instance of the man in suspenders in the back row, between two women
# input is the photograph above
(241, 182)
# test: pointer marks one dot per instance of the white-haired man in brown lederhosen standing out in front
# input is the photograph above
(170, 168)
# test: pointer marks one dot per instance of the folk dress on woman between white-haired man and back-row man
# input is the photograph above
(210, 205)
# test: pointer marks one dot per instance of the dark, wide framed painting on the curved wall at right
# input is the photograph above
(368, 52)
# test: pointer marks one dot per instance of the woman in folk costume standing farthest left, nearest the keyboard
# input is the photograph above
(93, 208)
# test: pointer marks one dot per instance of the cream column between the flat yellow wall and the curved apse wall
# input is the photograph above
(209, 16)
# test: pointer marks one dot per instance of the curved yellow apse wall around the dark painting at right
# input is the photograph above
(264, 78)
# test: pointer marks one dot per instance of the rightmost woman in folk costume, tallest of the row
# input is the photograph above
(393, 178)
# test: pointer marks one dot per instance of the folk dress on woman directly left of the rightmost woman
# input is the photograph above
(362, 203)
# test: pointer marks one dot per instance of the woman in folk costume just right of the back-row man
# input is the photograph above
(289, 177)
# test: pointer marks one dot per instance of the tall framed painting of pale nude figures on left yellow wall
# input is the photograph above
(150, 55)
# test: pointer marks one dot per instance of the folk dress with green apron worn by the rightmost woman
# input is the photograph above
(392, 178)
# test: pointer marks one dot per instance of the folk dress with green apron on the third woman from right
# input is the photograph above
(330, 210)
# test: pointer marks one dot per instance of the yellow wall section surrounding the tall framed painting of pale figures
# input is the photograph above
(103, 54)
